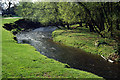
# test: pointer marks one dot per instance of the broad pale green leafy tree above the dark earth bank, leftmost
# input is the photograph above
(44, 12)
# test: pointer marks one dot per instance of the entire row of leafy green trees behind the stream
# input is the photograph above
(101, 17)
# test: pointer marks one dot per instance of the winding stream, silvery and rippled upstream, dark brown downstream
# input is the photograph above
(74, 57)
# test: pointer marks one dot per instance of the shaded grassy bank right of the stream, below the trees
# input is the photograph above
(84, 39)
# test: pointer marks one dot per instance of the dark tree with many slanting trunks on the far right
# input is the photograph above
(101, 17)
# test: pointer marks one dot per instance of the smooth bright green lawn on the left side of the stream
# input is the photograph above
(22, 61)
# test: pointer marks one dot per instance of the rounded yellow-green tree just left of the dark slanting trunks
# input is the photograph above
(70, 13)
